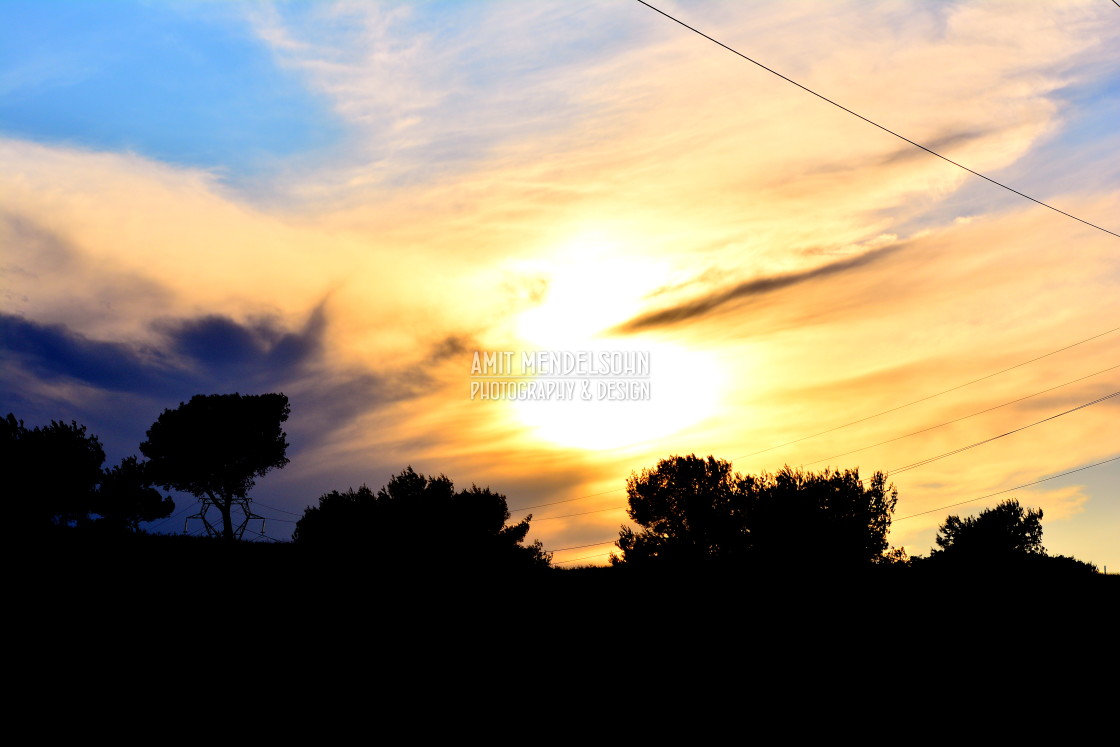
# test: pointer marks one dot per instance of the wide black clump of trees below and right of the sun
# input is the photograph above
(696, 510)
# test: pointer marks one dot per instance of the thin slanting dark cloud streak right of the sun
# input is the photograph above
(744, 292)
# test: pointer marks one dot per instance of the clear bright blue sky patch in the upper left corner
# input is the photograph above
(197, 90)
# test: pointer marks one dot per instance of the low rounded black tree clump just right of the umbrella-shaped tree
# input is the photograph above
(417, 522)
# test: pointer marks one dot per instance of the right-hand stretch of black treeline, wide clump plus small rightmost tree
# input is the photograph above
(695, 512)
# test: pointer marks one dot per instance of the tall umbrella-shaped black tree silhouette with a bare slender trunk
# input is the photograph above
(217, 446)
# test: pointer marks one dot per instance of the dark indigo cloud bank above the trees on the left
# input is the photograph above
(192, 357)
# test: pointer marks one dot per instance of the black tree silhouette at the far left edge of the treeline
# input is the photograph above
(52, 472)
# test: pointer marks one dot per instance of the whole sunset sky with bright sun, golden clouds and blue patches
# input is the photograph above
(344, 202)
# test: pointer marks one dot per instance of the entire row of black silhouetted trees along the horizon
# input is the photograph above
(692, 513)
